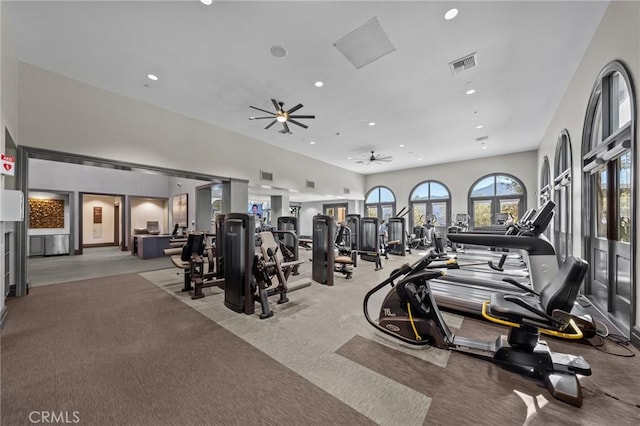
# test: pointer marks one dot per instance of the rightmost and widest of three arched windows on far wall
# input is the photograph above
(493, 194)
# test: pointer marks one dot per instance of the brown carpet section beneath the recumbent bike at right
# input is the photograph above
(470, 391)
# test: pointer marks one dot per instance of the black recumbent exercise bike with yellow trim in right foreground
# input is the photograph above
(409, 313)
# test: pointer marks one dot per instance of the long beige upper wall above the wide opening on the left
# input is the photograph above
(65, 115)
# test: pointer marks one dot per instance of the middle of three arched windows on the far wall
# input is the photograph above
(430, 199)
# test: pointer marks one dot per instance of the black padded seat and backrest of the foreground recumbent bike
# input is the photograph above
(538, 310)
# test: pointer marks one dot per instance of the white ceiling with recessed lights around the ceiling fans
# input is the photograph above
(213, 62)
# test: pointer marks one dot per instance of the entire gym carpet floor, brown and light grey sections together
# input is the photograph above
(122, 351)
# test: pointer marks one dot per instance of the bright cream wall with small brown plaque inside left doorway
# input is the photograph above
(98, 233)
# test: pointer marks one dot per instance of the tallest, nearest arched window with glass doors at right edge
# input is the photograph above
(608, 154)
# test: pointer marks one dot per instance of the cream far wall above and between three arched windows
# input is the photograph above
(459, 176)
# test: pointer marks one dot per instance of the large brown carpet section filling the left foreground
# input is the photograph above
(119, 351)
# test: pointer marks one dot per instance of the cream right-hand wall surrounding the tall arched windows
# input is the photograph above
(617, 38)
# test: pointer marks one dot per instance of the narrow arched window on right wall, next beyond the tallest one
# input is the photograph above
(562, 239)
